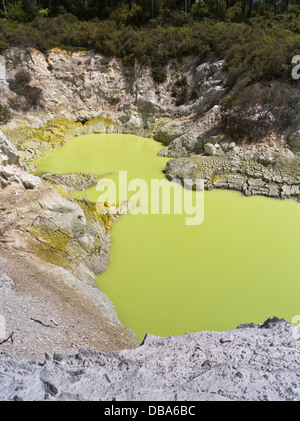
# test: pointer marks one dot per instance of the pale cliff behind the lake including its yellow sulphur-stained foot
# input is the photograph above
(84, 92)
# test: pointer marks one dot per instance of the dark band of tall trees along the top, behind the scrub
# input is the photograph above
(139, 12)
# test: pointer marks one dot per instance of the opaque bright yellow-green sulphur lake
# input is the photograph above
(167, 278)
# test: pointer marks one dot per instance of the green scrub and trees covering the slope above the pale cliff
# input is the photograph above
(257, 39)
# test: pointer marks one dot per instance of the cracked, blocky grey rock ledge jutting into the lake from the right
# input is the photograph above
(239, 173)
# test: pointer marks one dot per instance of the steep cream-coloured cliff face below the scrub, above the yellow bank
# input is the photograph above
(83, 85)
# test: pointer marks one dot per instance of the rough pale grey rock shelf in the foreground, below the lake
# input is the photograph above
(252, 362)
